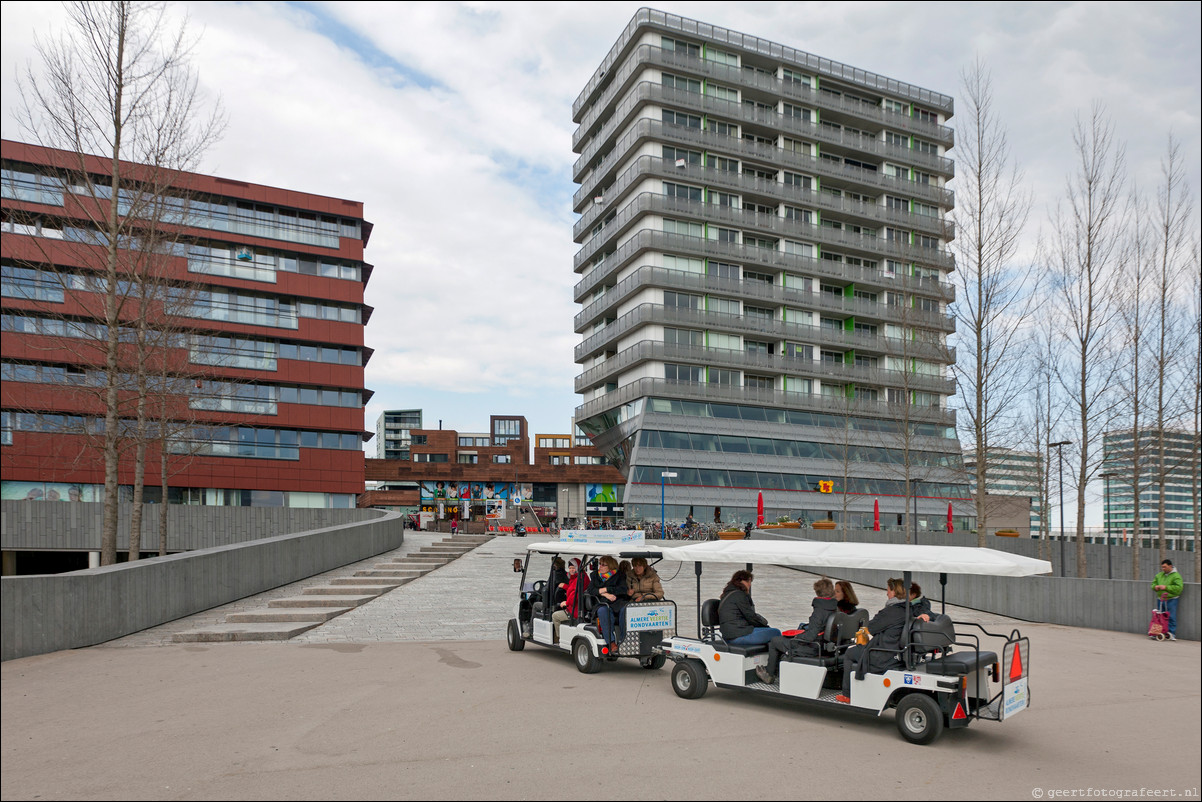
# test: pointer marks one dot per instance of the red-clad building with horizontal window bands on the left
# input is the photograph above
(261, 390)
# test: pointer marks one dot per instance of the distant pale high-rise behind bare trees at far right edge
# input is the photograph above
(1181, 465)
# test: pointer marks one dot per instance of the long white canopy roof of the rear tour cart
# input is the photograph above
(890, 557)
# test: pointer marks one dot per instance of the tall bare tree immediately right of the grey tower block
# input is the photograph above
(996, 296)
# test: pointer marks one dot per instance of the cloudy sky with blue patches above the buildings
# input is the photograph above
(453, 123)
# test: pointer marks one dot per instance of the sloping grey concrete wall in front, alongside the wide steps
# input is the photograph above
(64, 611)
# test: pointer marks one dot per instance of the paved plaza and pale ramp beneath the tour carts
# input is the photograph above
(415, 696)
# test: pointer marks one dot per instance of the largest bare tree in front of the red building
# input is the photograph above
(118, 86)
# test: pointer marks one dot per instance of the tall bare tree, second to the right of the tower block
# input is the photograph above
(1084, 260)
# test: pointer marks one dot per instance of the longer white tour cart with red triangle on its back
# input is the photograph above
(943, 678)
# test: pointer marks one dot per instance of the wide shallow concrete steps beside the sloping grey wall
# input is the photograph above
(284, 619)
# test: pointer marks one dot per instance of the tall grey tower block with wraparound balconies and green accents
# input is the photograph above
(764, 259)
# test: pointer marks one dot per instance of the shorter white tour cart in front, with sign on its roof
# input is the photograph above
(647, 625)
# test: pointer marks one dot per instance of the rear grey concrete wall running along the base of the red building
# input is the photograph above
(76, 526)
